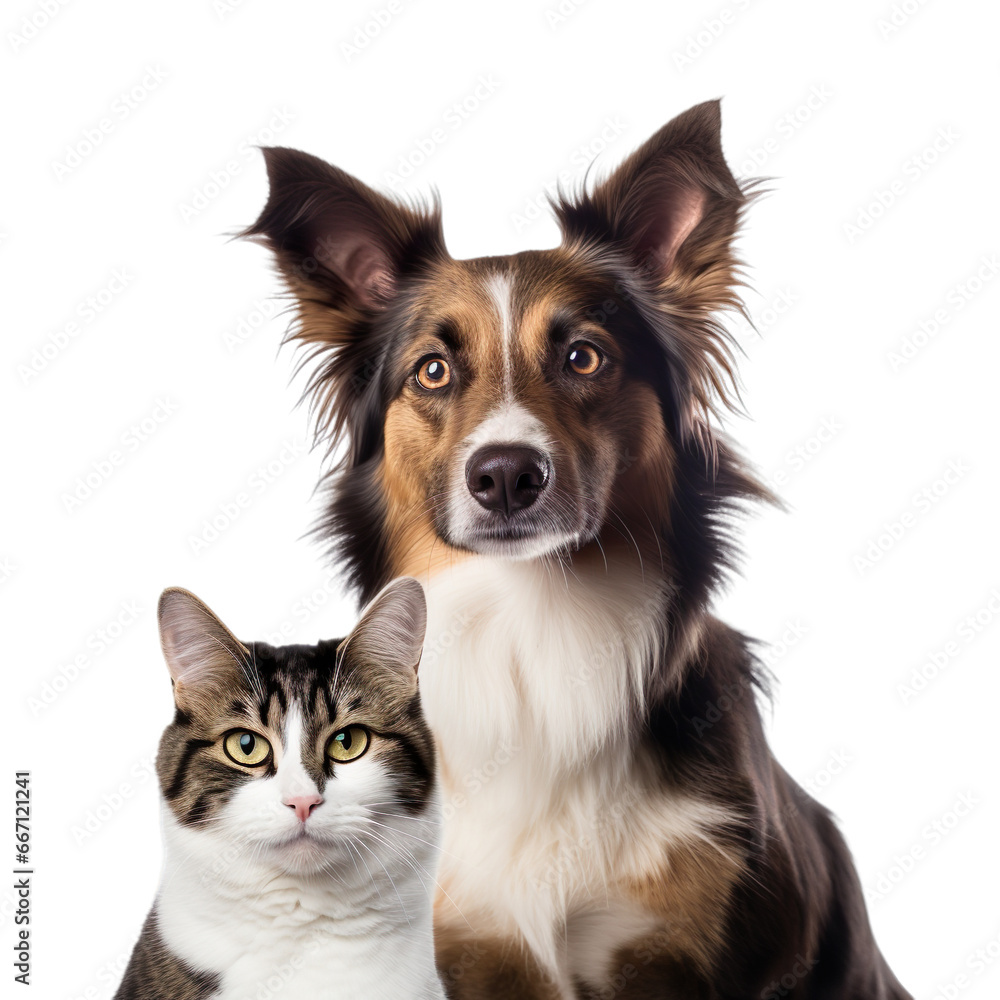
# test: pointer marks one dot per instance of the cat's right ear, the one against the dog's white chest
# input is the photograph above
(391, 630)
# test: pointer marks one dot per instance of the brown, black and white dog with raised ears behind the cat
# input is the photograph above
(530, 436)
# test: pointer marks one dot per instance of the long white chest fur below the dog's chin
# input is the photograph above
(530, 679)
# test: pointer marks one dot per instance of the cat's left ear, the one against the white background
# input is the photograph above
(204, 658)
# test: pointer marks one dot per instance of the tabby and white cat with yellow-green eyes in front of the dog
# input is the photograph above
(301, 814)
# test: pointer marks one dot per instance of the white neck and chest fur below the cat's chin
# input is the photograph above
(277, 936)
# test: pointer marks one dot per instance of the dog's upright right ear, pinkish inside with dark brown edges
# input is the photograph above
(673, 207)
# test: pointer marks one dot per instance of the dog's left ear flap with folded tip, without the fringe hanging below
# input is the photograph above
(341, 247)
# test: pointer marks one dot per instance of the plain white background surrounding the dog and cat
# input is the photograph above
(191, 322)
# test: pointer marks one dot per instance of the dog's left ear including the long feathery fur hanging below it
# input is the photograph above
(343, 250)
